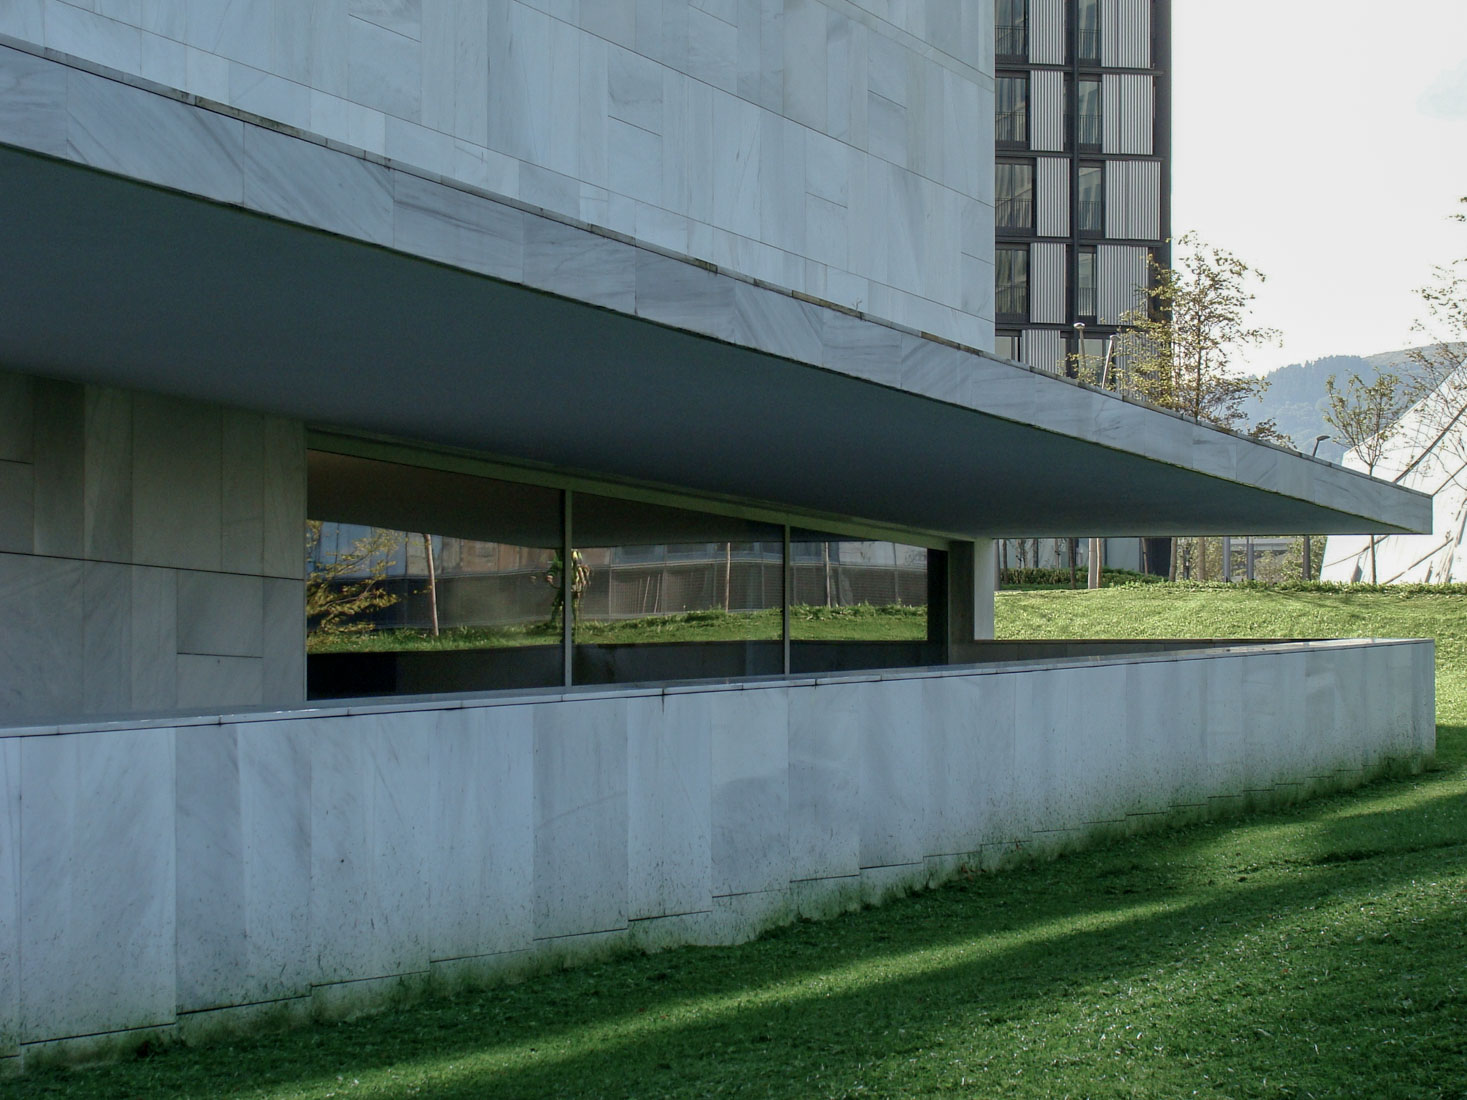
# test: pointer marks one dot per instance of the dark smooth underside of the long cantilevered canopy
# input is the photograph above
(121, 284)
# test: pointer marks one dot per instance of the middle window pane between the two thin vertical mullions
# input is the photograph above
(668, 593)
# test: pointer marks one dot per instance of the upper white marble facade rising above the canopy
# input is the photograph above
(828, 147)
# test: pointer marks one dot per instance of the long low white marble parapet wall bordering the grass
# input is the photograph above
(202, 872)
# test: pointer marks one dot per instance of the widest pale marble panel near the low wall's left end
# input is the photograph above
(98, 919)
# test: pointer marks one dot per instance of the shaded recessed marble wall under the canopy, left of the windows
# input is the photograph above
(152, 555)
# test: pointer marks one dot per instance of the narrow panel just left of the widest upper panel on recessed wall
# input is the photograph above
(108, 476)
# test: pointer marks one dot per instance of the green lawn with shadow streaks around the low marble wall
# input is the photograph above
(1317, 953)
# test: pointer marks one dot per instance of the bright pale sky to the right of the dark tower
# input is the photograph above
(1325, 144)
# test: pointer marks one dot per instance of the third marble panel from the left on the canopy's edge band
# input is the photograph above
(318, 187)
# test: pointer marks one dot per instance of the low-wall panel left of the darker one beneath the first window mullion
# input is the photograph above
(482, 850)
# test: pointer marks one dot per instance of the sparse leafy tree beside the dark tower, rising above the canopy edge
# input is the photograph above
(1180, 351)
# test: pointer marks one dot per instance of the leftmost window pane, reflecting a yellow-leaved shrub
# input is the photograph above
(422, 580)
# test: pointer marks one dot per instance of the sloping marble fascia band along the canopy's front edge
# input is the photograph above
(180, 143)
